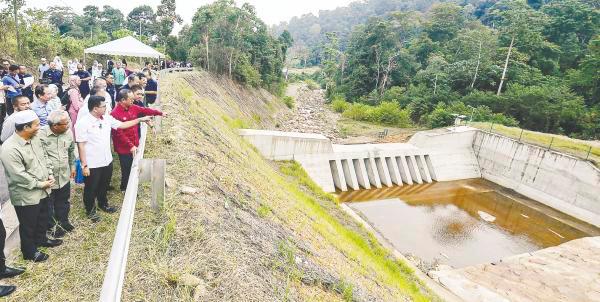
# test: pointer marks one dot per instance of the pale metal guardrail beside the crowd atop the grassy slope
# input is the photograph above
(115, 272)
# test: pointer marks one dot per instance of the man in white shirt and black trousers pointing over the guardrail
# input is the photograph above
(93, 141)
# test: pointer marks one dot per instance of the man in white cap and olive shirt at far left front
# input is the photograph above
(29, 175)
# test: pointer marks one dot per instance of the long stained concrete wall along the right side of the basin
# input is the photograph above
(558, 180)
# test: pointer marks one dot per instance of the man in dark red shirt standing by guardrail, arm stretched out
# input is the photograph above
(127, 140)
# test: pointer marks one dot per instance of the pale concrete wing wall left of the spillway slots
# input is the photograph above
(277, 145)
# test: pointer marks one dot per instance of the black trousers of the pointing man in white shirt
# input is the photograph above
(96, 188)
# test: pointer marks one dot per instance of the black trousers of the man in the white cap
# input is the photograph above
(33, 223)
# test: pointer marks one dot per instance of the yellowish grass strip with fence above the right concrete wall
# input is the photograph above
(575, 147)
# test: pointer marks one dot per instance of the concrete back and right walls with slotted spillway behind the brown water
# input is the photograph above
(561, 181)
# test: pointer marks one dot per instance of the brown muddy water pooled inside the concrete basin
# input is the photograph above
(461, 223)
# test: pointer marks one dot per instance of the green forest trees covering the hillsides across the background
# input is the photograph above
(533, 64)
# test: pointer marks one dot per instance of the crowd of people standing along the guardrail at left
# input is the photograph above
(44, 135)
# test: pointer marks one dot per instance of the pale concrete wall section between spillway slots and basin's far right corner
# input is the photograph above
(451, 152)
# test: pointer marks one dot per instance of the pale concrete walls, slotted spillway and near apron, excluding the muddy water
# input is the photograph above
(558, 180)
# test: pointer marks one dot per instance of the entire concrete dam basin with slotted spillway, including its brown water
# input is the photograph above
(462, 198)
